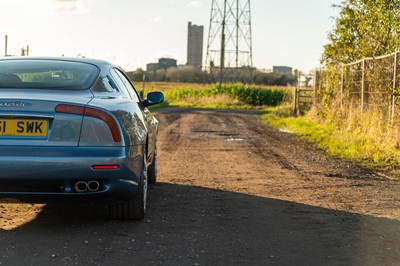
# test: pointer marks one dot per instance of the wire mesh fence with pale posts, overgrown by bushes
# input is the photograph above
(371, 85)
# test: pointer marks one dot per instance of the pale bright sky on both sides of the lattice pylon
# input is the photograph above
(132, 33)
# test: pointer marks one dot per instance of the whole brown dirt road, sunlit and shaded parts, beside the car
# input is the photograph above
(231, 192)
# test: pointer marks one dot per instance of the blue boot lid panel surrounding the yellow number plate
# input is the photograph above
(64, 129)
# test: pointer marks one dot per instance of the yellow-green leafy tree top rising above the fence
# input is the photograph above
(364, 28)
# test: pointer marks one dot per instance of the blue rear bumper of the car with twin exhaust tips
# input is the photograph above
(49, 174)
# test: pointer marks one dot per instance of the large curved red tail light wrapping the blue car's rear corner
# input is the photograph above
(96, 113)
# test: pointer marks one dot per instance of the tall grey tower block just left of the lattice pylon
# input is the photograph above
(195, 45)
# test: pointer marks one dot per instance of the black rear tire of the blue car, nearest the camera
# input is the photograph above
(134, 209)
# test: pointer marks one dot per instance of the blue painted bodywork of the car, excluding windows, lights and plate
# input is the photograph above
(47, 168)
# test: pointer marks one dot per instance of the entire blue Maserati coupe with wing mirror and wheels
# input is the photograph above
(76, 129)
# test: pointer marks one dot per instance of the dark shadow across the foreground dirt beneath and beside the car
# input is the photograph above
(189, 225)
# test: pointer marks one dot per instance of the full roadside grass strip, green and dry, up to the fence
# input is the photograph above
(363, 138)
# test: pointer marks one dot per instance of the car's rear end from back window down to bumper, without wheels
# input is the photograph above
(53, 144)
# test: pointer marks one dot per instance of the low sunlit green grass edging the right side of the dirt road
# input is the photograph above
(350, 143)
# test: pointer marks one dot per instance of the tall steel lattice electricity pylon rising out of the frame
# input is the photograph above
(229, 37)
